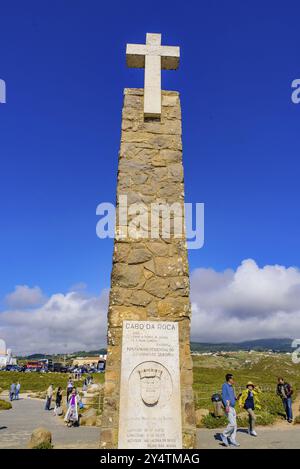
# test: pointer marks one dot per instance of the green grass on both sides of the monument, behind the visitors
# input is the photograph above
(209, 372)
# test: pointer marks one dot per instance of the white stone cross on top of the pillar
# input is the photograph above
(153, 57)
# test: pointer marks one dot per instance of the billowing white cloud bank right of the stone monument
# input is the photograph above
(249, 303)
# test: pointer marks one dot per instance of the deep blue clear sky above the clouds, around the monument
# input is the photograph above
(64, 66)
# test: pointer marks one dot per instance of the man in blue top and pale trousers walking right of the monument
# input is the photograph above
(229, 400)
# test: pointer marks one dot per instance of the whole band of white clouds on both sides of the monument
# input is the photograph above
(248, 303)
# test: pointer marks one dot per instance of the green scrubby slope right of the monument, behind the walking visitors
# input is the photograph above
(261, 368)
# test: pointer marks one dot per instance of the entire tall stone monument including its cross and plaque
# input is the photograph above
(148, 396)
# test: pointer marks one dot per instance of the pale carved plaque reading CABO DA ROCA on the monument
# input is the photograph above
(150, 404)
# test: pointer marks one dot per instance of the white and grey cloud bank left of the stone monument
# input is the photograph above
(64, 323)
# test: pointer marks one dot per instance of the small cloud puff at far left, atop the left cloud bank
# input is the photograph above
(24, 296)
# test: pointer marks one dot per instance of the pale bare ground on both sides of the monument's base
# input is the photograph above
(17, 424)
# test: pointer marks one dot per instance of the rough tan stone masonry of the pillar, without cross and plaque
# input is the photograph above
(150, 277)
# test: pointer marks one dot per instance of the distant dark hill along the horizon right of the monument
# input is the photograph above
(261, 345)
